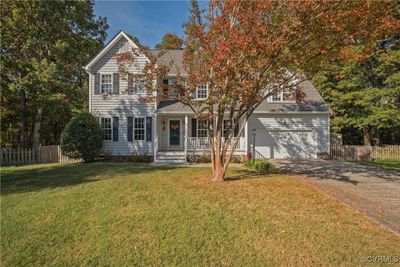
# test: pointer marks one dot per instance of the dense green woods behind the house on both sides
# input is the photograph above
(43, 85)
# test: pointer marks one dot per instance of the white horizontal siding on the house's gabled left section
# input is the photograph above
(122, 105)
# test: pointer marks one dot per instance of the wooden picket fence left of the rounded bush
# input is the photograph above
(43, 154)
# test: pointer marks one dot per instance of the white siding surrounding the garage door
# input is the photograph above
(306, 126)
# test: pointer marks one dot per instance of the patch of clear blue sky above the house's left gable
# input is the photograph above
(147, 20)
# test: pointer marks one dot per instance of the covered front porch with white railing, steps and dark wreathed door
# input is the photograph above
(178, 136)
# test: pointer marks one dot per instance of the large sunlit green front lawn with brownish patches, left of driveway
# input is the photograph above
(127, 214)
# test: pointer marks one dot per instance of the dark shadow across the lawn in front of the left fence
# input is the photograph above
(36, 178)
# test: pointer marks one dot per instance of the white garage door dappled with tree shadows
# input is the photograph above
(286, 144)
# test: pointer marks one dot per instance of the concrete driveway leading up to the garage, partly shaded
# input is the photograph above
(370, 190)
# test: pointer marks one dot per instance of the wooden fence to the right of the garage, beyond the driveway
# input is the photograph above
(365, 153)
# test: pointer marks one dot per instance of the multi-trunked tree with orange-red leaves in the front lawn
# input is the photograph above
(246, 51)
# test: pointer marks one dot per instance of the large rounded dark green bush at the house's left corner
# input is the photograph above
(82, 138)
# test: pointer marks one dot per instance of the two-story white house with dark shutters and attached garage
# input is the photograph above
(169, 132)
